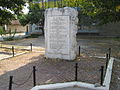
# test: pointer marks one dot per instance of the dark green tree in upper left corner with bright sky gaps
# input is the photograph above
(9, 9)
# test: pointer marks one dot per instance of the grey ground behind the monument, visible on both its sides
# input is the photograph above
(91, 46)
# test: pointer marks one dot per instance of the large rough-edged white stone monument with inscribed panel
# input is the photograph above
(60, 33)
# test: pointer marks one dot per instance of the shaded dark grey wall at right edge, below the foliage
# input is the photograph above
(111, 29)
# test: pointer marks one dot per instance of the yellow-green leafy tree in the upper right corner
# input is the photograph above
(105, 11)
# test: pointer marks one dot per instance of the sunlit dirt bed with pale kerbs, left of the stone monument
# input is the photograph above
(6, 50)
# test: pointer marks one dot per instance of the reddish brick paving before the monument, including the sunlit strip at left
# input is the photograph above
(48, 71)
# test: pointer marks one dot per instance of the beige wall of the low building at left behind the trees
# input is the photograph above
(18, 27)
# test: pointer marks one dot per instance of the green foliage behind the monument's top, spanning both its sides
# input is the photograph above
(91, 11)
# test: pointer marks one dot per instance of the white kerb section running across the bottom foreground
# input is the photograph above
(68, 86)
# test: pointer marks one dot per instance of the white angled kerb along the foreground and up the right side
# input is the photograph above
(106, 83)
